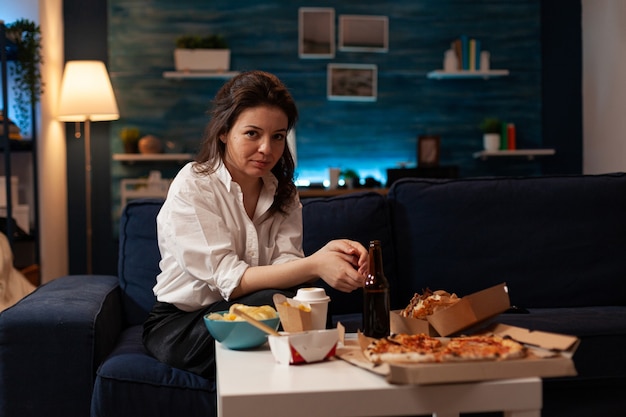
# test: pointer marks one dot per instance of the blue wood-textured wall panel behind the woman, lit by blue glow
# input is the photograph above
(367, 136)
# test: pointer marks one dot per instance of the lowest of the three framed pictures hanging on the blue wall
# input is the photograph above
(352, 82)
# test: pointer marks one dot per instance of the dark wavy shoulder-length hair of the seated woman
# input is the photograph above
(244, 91)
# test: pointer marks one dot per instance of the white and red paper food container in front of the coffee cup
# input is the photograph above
(304, 347)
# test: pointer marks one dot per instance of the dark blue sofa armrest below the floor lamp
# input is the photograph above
(51, 343)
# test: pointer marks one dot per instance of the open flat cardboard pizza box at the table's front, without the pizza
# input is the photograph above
(549, 355)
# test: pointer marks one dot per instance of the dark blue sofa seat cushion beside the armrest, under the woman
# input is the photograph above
(132, 383)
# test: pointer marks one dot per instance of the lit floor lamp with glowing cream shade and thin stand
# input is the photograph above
(86, 96)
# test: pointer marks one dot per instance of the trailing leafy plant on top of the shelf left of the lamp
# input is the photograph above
(25, 71)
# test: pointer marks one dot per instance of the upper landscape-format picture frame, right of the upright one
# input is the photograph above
(363, 33)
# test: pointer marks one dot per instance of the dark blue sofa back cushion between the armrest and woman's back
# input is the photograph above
(139, 257)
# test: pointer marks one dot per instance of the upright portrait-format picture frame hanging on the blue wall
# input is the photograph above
(316, 32)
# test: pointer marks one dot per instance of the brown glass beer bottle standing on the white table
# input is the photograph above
(376, 295)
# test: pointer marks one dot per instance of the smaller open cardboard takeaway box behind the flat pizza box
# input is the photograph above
(467, 312)
